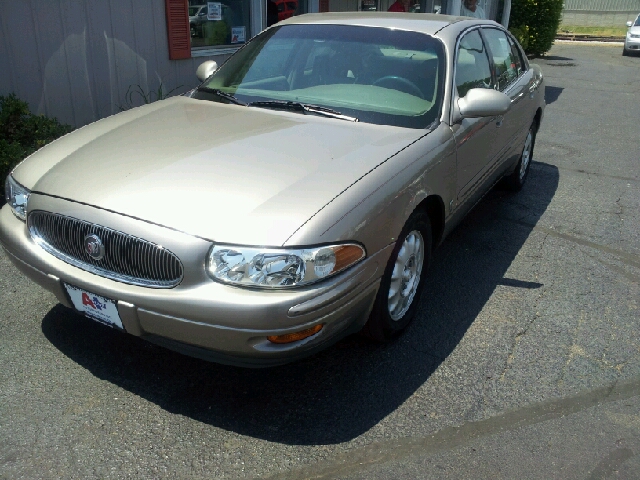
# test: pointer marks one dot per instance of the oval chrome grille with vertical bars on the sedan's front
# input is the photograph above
(127, 259)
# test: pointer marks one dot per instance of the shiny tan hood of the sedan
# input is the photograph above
(222, 172)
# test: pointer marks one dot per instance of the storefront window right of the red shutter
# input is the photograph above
(219, 23)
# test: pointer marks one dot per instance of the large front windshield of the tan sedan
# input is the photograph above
(376, 75)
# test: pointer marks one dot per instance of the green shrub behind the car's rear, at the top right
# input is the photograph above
(537, 22)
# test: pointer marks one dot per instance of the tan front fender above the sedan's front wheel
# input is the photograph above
(374, 209)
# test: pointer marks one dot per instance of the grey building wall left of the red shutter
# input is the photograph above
(77, 59)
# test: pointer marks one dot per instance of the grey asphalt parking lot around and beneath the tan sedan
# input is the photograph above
(525, 359)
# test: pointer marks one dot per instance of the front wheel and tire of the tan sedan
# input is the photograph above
(404, 275)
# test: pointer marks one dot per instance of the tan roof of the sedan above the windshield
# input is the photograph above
(418, 22)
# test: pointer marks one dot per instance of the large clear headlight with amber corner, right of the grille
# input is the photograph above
(280, 267)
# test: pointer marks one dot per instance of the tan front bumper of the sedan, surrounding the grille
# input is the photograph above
(201, 317)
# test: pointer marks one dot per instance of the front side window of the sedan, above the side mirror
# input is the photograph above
(472, 64)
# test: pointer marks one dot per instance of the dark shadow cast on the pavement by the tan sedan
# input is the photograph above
(344, 391)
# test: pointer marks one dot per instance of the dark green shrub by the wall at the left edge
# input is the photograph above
(22, 133)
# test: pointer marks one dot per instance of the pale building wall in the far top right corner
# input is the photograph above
(599, 13)
